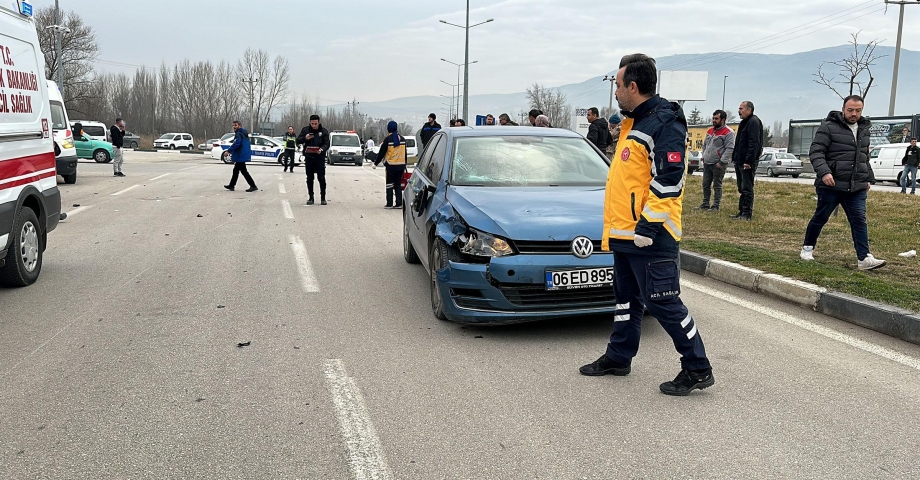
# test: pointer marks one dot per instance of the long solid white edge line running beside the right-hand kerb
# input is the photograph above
(811, 327)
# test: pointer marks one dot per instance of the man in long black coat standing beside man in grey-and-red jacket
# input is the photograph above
(748, 147)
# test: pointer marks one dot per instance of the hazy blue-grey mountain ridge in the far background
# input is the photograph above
(782, 87)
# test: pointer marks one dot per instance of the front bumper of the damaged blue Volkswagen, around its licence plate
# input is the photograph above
(512, 290)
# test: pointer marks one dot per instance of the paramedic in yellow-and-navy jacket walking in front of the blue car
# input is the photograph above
(642, 226)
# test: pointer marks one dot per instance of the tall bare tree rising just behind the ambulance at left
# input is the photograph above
(78, 51)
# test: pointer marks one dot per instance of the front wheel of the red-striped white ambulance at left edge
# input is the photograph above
(27, 241)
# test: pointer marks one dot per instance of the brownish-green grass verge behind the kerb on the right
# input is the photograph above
(772, 241)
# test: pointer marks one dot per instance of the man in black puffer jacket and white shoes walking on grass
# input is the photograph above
(840, 157)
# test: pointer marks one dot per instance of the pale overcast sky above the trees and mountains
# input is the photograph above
(378, 50)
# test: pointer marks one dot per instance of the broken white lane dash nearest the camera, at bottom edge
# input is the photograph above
(365, 454)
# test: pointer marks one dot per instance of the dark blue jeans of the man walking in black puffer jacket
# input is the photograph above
(854, 204)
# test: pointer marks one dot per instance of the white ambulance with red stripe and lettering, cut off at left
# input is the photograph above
(30, 203)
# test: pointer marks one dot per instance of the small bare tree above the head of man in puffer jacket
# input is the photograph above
(853, 70)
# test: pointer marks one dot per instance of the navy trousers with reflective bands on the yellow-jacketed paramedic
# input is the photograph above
(652, 282)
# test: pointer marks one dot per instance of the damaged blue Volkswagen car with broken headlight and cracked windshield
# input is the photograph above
(507, 222)
